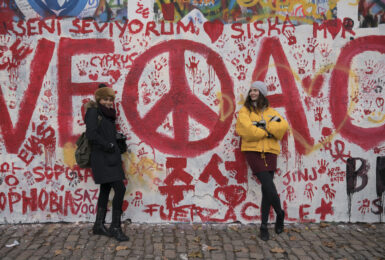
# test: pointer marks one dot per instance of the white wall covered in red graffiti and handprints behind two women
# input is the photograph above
(181, 71)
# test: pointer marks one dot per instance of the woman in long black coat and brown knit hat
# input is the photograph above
(106, 162)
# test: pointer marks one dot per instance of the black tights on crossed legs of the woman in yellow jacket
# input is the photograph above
(269, 195)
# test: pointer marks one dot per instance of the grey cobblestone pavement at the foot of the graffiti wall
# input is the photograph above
(194, 241)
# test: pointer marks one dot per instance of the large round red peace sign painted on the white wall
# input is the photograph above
(179, 100)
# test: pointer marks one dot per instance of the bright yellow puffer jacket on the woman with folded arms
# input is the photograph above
(255, 138)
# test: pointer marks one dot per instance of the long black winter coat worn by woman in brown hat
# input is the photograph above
(106, 164)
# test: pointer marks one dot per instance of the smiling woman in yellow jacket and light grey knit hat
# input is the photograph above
(261, 127)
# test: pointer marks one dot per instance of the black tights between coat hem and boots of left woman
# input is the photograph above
(104, 194)
